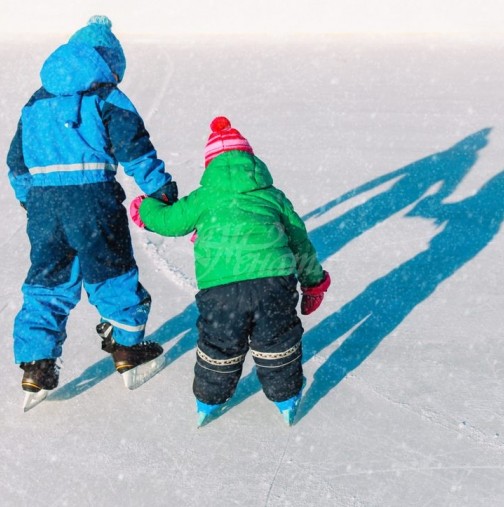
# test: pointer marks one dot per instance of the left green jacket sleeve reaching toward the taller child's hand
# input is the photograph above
(177, 219)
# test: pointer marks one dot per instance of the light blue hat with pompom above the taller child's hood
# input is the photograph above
(98, 34)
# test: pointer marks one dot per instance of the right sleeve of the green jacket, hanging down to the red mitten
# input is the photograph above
(310, 271)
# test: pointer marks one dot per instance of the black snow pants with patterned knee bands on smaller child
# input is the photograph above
(257, 314)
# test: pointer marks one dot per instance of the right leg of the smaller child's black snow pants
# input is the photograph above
(275, 341)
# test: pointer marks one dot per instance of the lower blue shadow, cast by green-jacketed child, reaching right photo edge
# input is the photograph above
(466, 228)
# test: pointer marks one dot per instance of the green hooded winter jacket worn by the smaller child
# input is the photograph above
(246, 228)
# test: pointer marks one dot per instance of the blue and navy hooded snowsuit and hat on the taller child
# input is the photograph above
(73, 133)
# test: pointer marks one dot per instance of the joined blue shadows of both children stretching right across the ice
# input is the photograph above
(468, 226)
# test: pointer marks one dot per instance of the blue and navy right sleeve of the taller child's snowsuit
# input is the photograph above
(131, 144)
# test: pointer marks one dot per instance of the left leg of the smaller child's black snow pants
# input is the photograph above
(224, 326)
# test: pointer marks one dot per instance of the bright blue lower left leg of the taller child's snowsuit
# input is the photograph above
(40, 326)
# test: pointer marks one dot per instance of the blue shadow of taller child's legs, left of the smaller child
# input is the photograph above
(182, 323)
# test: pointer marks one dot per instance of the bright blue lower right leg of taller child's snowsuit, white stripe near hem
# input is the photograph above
(123, 302)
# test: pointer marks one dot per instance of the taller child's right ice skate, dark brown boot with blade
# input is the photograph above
(137, 363)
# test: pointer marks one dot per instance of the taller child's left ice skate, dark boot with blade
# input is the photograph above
(39, 377)
